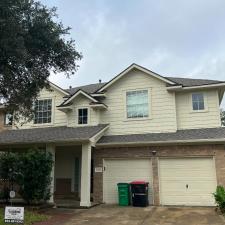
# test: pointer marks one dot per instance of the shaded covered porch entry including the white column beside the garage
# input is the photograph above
(71, 174)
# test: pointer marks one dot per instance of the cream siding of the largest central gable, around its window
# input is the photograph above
(162, 116)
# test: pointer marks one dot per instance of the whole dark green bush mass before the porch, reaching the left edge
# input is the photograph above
(31, 170)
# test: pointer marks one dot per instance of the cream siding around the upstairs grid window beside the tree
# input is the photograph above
(58, 118)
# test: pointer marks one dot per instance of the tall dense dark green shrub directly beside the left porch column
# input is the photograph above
(34, 175)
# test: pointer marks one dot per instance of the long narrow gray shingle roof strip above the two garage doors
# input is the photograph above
(204, 135)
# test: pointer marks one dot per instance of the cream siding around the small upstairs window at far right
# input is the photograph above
(188, 119)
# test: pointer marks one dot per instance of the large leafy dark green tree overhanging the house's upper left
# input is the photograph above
(32, 44)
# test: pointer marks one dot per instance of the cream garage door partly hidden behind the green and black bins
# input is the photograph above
(124, 170)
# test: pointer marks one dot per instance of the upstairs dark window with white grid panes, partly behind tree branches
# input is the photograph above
(43, 111)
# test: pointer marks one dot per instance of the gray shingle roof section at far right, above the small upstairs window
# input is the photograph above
(189, 82)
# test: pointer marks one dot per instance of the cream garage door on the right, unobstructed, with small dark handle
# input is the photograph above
(187, 181)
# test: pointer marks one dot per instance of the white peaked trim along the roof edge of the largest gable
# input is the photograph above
(131, 67)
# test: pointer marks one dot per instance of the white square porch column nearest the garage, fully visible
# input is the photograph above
(85, 176)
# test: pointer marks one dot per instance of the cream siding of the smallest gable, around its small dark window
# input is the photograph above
(82, 102)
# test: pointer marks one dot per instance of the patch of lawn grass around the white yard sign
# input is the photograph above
(30, 217)
